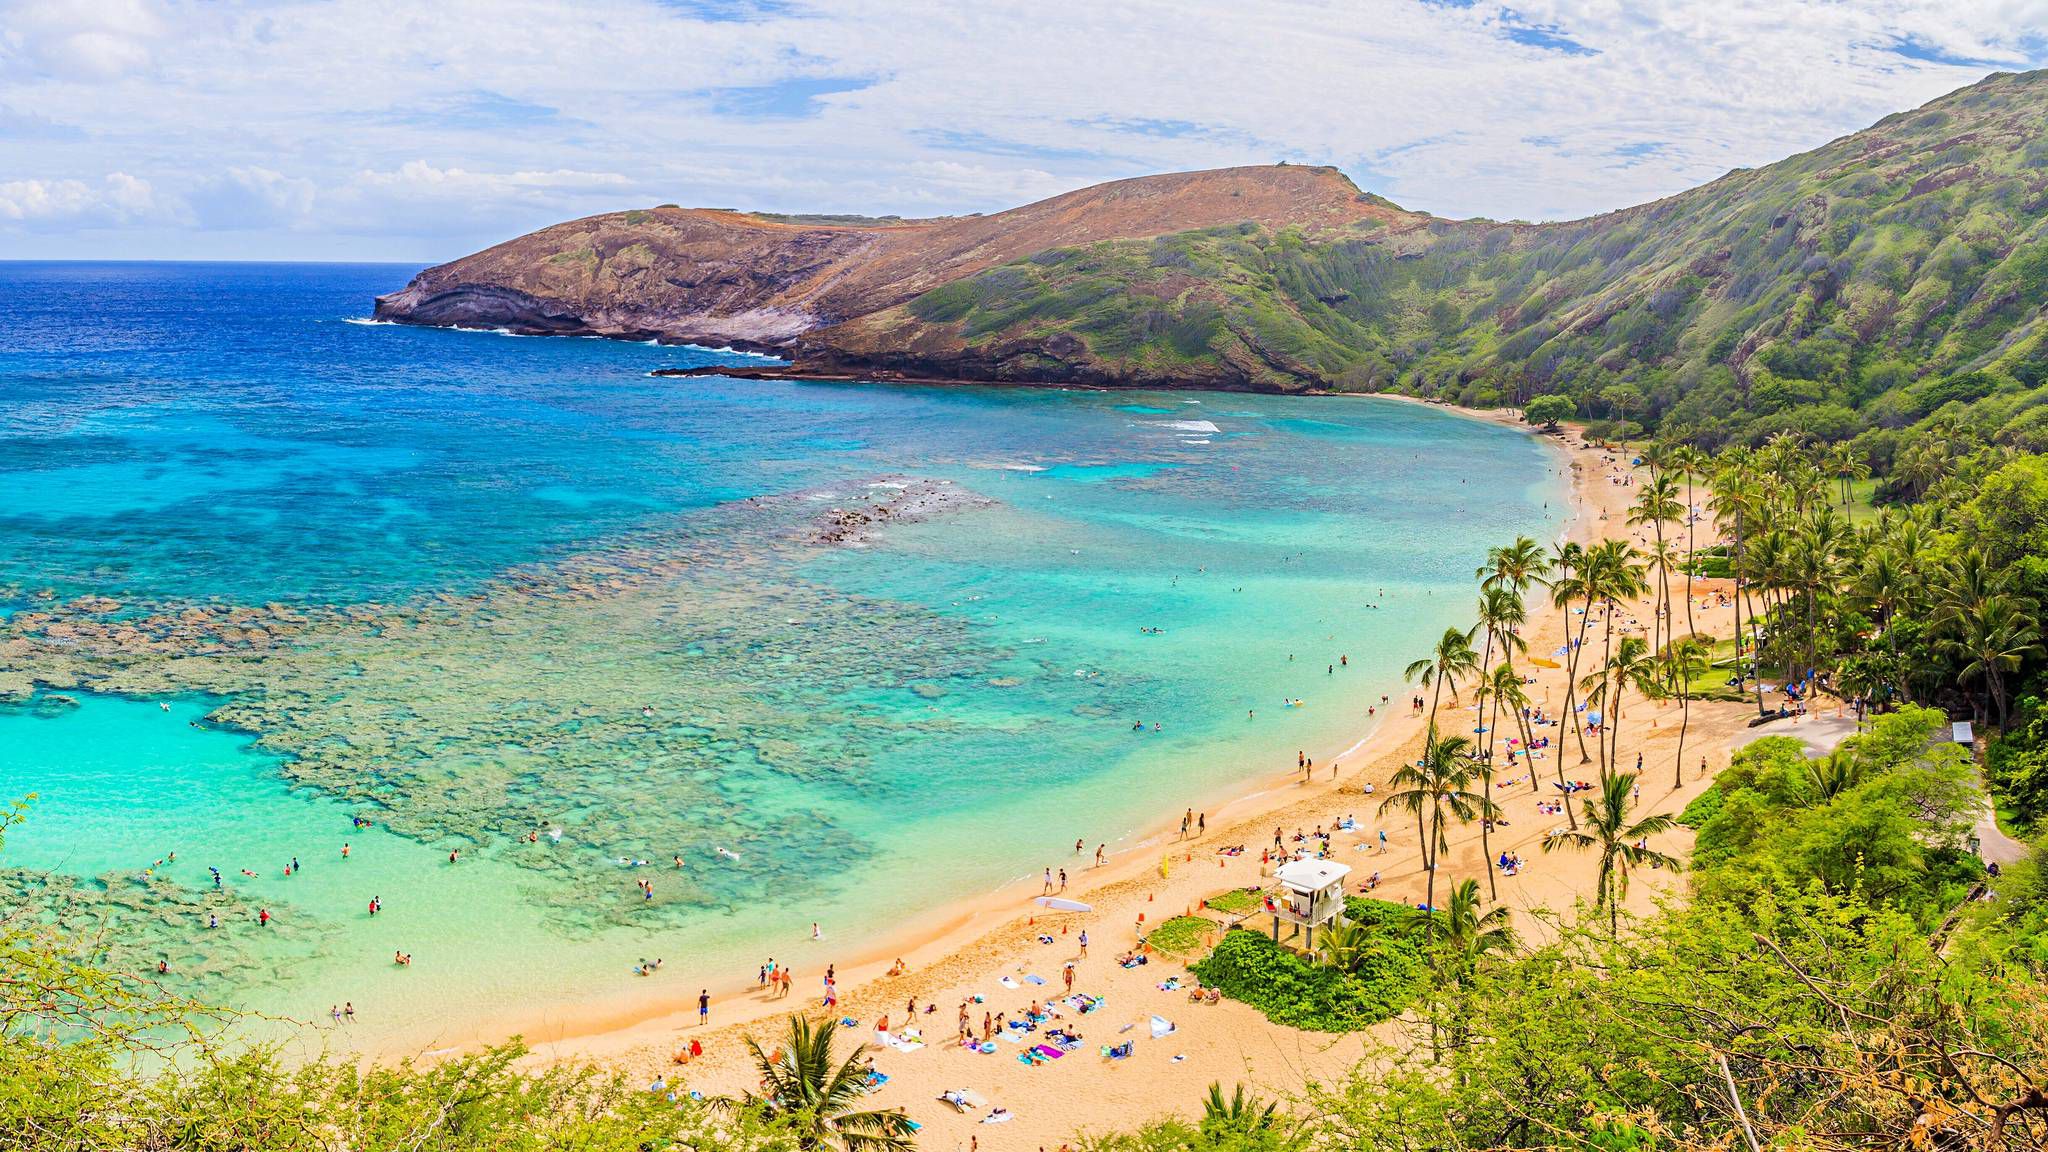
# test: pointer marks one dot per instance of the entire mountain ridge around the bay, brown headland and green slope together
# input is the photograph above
(1859, 286)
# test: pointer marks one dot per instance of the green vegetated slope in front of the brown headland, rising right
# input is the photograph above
(1867, 274)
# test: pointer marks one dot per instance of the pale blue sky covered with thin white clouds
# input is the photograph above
(421, 132)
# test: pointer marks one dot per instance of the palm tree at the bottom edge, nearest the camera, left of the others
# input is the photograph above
(818, 1098)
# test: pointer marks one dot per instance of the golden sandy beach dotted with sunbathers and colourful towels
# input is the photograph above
(984, 952)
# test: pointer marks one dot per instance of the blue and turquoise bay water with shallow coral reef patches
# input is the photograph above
(484, 591)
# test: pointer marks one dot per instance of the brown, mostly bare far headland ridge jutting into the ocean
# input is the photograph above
(728, 276)
